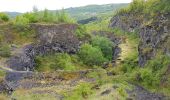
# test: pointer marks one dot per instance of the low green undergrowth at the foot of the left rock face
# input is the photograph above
(60, 61)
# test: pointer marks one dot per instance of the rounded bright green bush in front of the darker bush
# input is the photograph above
(91, 55)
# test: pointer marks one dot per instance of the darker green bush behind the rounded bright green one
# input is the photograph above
(105, 45)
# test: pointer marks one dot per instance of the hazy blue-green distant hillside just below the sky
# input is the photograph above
(85, 12)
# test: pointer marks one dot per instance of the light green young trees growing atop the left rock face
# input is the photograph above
(43, 16)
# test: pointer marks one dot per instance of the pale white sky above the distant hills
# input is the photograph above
(27, 5)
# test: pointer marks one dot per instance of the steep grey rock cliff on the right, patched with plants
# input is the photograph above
(154, 35)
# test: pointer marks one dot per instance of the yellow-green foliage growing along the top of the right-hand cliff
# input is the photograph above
(146, 7)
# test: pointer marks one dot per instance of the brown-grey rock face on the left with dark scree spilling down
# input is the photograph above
(50, 39)
